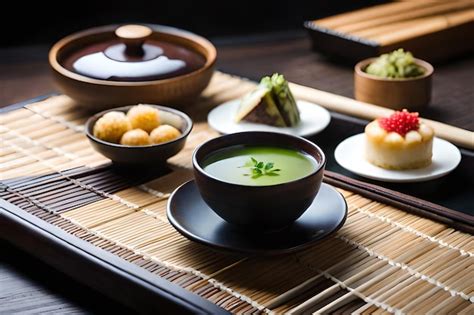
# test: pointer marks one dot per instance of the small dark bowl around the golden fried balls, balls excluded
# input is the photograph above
(149, 155)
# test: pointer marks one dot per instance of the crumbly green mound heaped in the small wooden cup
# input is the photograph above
(398, 64)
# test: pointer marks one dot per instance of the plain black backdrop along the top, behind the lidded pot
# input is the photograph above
(44, 22)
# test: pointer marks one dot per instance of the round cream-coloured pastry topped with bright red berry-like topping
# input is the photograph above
(399, 142)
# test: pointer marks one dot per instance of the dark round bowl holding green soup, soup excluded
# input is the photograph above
(260, 207)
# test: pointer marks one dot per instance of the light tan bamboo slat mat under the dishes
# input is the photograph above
(384, 260)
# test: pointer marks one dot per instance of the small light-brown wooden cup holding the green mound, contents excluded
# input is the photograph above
(410, 93)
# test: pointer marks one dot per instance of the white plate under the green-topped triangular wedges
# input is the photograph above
(314, 119)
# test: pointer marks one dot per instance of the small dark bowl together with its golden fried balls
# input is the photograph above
(139, 135)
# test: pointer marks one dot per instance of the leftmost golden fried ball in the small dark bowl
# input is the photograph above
(111, 126)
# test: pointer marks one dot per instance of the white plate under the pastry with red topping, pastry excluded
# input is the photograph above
(350, 155)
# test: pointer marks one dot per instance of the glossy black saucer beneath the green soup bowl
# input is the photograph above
(193, 218)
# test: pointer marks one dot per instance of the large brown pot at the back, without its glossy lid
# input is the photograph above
(97, 94)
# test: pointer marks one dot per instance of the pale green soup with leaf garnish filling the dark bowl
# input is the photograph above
(258, 165)
